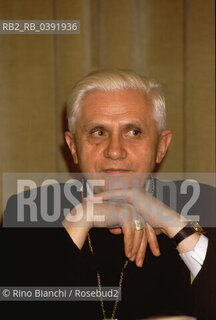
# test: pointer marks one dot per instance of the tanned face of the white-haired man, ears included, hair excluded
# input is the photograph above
(116, 133)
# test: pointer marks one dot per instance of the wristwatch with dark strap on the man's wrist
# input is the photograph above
(188, 230)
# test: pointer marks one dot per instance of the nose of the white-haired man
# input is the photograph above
(115, 148)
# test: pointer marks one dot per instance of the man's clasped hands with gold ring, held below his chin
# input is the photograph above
(117, 210)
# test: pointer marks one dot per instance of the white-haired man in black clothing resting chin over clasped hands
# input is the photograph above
(117, 131)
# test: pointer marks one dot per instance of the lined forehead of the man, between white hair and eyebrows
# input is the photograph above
(115, 106)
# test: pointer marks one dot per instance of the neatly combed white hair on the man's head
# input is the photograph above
(113, 80)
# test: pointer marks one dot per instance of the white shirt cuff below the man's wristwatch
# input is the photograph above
(194, 259)
